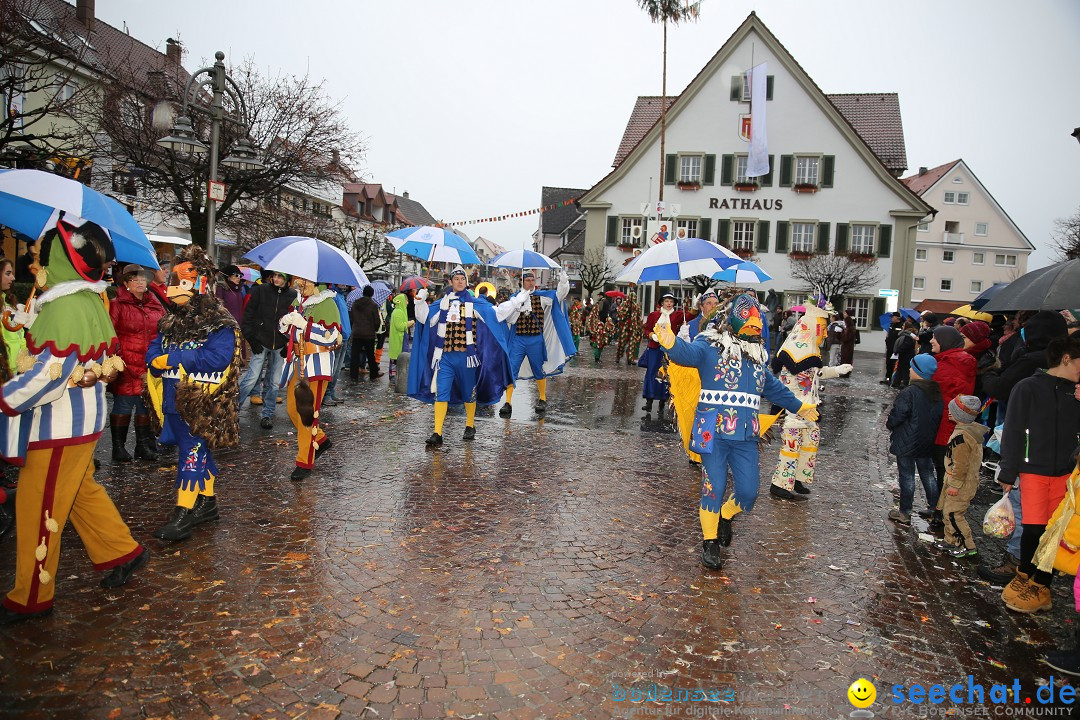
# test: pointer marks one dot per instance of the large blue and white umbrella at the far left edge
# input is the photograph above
(31, 201)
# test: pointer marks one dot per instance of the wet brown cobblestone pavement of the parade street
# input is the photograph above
(521, 576)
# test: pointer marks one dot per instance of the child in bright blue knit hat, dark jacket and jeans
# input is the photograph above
(914, 422)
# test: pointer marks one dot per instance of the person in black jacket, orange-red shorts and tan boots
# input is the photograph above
(1042, 430)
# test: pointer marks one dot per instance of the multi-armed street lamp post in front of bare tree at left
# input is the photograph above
(183, 139)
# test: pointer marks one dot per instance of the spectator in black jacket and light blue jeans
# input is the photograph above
(271, 301)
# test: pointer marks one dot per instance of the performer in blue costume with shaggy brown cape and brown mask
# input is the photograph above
(192, 388)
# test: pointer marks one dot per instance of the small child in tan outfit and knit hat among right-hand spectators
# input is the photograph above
(963, 460)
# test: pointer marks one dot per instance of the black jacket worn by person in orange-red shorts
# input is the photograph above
(1043, 428)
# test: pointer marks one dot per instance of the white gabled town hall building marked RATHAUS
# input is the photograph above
(832, 189)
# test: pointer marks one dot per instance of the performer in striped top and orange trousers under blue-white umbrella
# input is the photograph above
(315, 335)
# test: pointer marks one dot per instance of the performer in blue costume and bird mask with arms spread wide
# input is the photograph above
(732, 363)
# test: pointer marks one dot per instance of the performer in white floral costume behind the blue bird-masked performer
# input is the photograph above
(800, 368)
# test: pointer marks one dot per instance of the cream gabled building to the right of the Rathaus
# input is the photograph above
(968, 247)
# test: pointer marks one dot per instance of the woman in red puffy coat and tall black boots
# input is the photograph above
(136, 313)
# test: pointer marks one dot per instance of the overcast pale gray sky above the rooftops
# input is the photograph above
(472, 106)
